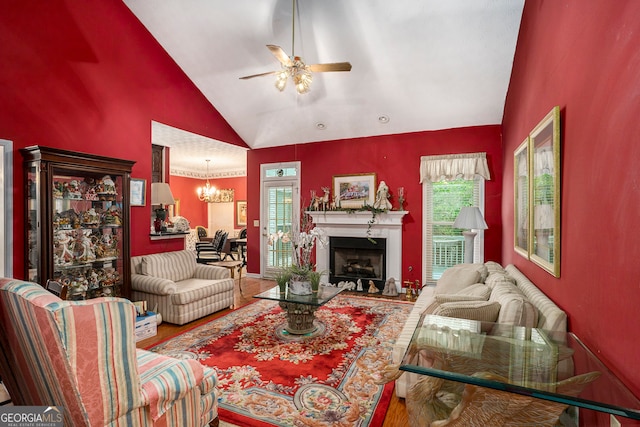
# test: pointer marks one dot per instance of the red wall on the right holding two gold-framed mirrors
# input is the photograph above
(584, 57)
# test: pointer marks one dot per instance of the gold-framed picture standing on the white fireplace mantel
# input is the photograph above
(354, 191)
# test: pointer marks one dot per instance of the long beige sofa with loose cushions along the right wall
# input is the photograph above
(480, 292)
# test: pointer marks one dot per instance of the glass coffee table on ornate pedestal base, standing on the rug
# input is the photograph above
(301, 309)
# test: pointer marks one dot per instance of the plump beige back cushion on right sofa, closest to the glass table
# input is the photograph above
(515, 307)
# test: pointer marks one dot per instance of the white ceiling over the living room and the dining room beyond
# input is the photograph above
(424, 64)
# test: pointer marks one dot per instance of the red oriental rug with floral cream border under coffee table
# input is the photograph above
(271, 378)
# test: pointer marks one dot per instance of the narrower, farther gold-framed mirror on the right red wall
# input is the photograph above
(521, 198)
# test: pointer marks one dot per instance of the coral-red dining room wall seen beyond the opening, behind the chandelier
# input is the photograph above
(192, 208)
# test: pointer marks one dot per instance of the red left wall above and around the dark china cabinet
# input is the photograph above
(87, 76)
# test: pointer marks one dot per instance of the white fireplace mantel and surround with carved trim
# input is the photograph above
(387, 225)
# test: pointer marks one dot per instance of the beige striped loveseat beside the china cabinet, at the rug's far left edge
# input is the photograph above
(182, 289)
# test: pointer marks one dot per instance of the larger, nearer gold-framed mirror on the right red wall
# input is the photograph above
(544, 189)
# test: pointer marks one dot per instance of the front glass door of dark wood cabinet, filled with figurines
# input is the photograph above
(87, 233)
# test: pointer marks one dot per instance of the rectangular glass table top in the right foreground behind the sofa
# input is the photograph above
(517, 359)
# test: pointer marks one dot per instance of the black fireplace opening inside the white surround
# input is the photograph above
(353, 258)
